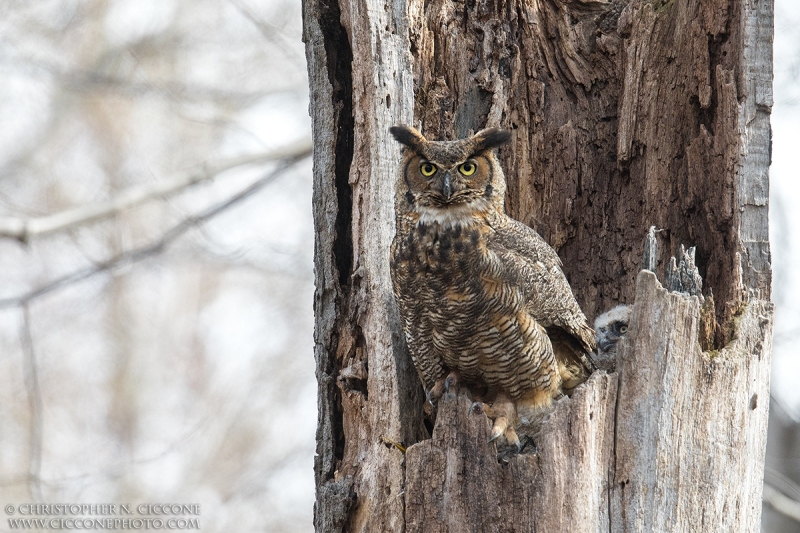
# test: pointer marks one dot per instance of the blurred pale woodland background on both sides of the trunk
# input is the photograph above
(184, 372)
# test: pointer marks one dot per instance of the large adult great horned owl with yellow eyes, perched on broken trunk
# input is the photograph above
(481, 296)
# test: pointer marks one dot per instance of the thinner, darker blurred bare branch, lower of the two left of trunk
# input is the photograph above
(137, 254)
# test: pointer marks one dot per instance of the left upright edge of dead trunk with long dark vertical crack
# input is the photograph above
(367, 385)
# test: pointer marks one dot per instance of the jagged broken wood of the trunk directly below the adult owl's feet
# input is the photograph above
(455, 483)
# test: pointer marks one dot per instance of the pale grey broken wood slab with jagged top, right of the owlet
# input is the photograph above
(691, 426)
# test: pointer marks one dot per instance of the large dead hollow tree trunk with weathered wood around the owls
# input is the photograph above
(625, 114)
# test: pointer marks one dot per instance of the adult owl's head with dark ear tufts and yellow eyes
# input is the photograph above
(445, 175)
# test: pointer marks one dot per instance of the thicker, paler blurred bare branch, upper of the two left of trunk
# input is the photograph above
(24, 229)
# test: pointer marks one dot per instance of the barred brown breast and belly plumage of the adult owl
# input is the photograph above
(469, 303)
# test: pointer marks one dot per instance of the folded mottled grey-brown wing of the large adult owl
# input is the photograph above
(534, 266)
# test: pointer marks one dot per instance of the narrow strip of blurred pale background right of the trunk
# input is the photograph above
(782, 474)
